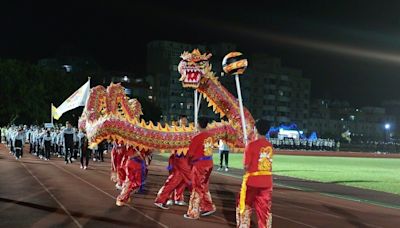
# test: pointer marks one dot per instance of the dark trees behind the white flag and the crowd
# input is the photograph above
(27, 91)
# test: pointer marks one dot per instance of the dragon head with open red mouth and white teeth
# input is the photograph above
(193, 67)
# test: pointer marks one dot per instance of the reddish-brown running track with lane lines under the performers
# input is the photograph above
(37, 193)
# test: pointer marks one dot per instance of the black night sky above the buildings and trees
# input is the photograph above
(349, 49)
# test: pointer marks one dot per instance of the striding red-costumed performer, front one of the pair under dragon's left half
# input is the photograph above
(135, 169)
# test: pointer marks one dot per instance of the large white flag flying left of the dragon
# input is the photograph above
(77, 99)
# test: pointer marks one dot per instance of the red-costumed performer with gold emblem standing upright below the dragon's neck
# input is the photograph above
(200, 155)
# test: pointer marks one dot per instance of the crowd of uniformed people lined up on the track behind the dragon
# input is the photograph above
(64, 142)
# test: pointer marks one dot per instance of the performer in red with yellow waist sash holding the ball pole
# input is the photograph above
(257, 181)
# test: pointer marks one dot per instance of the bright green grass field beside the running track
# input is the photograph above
(381, 174)
